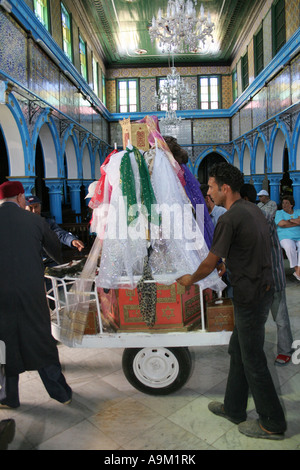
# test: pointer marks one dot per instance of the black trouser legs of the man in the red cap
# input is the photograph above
(53, 380)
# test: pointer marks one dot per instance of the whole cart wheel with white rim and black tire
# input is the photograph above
(157, 371)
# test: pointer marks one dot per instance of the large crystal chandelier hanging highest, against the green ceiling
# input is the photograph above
(181, 31)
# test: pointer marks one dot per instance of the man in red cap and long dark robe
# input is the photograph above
(24, 314)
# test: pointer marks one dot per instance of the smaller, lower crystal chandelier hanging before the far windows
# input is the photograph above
(174, 95)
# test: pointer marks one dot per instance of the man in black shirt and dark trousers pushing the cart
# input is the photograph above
(242, 238)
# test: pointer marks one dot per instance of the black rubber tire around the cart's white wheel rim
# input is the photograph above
(184, 364)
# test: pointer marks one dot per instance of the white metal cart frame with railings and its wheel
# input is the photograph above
(155, 363)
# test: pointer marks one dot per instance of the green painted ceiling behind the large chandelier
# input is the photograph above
(122, 28)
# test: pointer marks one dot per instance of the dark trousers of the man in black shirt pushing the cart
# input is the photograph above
(249, 369)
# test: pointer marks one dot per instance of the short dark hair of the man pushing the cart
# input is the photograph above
(225, 173)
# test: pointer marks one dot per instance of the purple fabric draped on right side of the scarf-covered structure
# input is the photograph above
(195, 195)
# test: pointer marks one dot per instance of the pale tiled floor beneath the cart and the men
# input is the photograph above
(108, 413)
